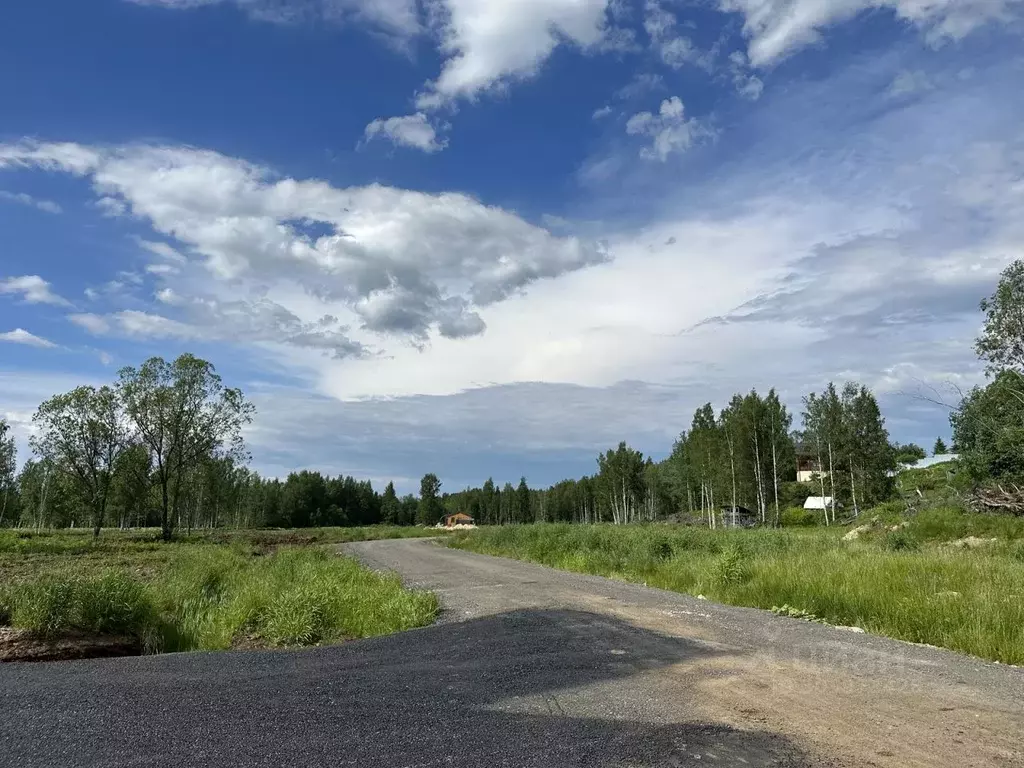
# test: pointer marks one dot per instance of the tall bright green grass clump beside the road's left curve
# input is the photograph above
(218, 598)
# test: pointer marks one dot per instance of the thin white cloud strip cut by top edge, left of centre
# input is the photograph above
(395, 18)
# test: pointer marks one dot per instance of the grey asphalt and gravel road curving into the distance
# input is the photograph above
(528, 667)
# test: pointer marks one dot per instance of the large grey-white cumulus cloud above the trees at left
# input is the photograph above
(400, 263)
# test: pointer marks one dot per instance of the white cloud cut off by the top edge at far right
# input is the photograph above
(779, 28)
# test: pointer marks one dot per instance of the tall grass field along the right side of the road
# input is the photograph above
(911, 584)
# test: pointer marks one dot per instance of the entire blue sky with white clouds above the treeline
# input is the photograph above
(493, 238)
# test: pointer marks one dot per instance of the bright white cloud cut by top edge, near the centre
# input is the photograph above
(489, 44)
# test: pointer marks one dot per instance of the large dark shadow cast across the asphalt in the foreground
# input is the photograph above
(547, 689)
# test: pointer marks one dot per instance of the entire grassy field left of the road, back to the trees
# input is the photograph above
(208, 591)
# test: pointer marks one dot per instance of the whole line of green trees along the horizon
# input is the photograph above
(163, 447)
